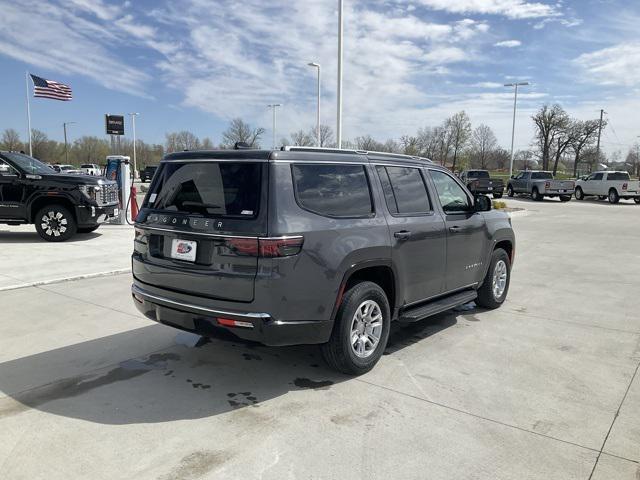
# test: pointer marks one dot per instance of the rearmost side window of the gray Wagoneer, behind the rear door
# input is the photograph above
(333, 190)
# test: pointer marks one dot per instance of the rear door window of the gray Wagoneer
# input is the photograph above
(404, 190)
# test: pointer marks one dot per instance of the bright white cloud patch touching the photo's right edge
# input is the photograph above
(616, 65)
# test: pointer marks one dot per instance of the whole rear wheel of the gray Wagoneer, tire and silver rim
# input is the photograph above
(361, 330)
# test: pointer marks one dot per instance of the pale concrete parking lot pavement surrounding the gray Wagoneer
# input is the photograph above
(546, 387)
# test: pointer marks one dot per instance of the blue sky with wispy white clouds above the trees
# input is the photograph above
(194, 64)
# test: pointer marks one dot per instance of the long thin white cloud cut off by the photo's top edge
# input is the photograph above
(515, 9)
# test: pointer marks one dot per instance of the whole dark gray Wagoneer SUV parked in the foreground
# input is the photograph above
(314, 246)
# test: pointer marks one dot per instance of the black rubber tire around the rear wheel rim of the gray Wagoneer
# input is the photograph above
(339, 352)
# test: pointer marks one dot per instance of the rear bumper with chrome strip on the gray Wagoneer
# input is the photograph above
(259, 327)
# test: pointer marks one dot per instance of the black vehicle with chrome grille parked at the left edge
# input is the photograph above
(59, 205)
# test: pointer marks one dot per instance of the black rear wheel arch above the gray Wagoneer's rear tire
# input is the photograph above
(379, 272)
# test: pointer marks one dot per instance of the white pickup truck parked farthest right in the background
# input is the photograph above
(607, 184)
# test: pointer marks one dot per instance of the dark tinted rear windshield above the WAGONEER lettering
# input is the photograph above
(221, 189)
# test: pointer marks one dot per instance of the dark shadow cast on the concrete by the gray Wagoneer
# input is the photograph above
(180, 382)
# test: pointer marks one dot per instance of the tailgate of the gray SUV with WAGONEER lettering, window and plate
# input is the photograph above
(199, 227)
